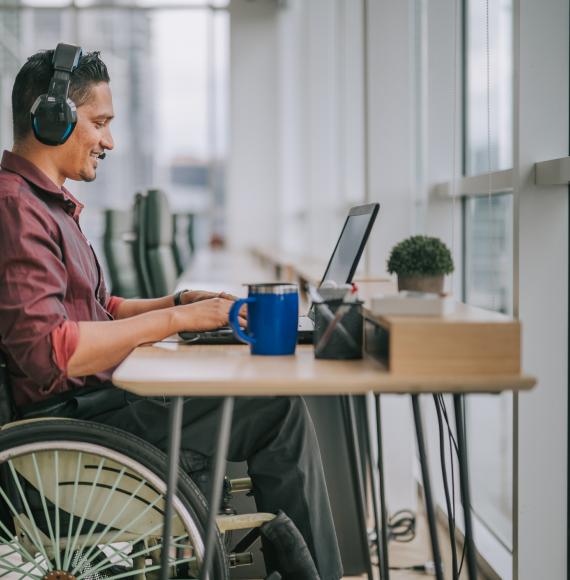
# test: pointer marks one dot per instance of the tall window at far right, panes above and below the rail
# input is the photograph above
(488, 249)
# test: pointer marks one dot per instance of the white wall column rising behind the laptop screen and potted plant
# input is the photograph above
(391, 175)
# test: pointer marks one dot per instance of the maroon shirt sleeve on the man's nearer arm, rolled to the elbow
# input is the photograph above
(32, 291)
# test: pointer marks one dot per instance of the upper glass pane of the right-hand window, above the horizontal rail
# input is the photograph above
(500, 84)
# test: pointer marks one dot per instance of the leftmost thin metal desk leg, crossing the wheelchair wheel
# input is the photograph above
(171, 482)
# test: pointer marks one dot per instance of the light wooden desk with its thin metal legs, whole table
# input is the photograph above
(229, 371)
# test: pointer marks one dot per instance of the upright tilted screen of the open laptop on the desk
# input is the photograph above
(350, 245)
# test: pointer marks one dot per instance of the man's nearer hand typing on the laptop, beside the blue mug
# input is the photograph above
(205, 314)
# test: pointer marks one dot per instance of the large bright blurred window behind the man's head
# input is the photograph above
(168, 76)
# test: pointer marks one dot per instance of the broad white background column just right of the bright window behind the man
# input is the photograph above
(252, 191)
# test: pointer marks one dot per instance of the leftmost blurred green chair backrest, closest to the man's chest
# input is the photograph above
(118, 240)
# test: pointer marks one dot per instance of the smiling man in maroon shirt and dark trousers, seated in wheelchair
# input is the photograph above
(62, 334)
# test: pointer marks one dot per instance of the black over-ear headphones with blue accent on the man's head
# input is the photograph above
(53, 114)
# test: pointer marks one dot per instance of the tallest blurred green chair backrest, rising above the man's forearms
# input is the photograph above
(159, 238)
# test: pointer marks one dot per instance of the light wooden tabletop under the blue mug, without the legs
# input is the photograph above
(230, 370)
